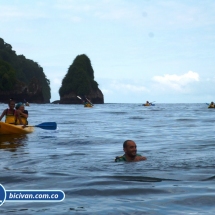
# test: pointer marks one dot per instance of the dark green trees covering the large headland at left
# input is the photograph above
(16, 67)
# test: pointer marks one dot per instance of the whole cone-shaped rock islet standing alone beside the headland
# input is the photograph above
(79, 81)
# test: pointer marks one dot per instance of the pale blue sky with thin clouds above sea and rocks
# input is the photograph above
(155, 50)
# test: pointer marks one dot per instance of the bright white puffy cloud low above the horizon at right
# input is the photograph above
(176, 82)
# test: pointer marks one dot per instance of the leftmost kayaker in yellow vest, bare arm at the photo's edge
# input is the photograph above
(9, 113)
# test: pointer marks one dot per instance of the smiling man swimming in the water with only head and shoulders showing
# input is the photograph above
(130, 149)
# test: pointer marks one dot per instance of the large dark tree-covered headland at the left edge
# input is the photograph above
(20, 78)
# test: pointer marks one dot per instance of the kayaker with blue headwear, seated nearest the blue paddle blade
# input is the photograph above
(21, 115)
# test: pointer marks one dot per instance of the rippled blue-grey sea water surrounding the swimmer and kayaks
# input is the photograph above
(78, 158)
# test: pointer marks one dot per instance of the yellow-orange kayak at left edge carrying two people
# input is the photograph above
(6, 128)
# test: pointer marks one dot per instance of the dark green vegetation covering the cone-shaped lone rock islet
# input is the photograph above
(79, 78)
